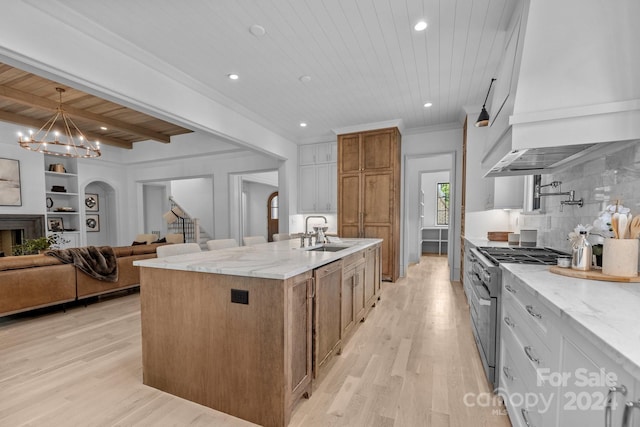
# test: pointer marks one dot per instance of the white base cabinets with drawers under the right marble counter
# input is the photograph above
(550, 373)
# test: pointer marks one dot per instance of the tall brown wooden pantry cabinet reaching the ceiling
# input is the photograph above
(369, 192)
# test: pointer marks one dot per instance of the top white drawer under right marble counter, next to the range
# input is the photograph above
(537, 316)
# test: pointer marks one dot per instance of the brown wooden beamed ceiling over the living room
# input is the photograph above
(30, 100)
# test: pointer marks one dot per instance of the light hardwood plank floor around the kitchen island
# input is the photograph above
(411, 363)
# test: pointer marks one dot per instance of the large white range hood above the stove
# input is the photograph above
(570, 86)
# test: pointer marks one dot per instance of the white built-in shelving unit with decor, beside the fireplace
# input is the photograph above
(62, 200)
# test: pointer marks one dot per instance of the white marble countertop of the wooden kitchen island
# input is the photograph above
(276, 260)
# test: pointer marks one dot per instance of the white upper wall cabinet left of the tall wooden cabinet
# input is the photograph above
(317, 185)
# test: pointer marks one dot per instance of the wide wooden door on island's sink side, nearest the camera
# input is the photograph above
(327, 332)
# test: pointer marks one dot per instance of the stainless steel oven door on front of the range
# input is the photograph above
(483, 309)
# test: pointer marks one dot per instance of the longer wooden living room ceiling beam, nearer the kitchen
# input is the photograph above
(33, 101)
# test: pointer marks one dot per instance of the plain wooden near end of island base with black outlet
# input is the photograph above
(240, 345)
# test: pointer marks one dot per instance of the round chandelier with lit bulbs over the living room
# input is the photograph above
(50, 140)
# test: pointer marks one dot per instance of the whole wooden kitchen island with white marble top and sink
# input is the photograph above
(245, 330)
